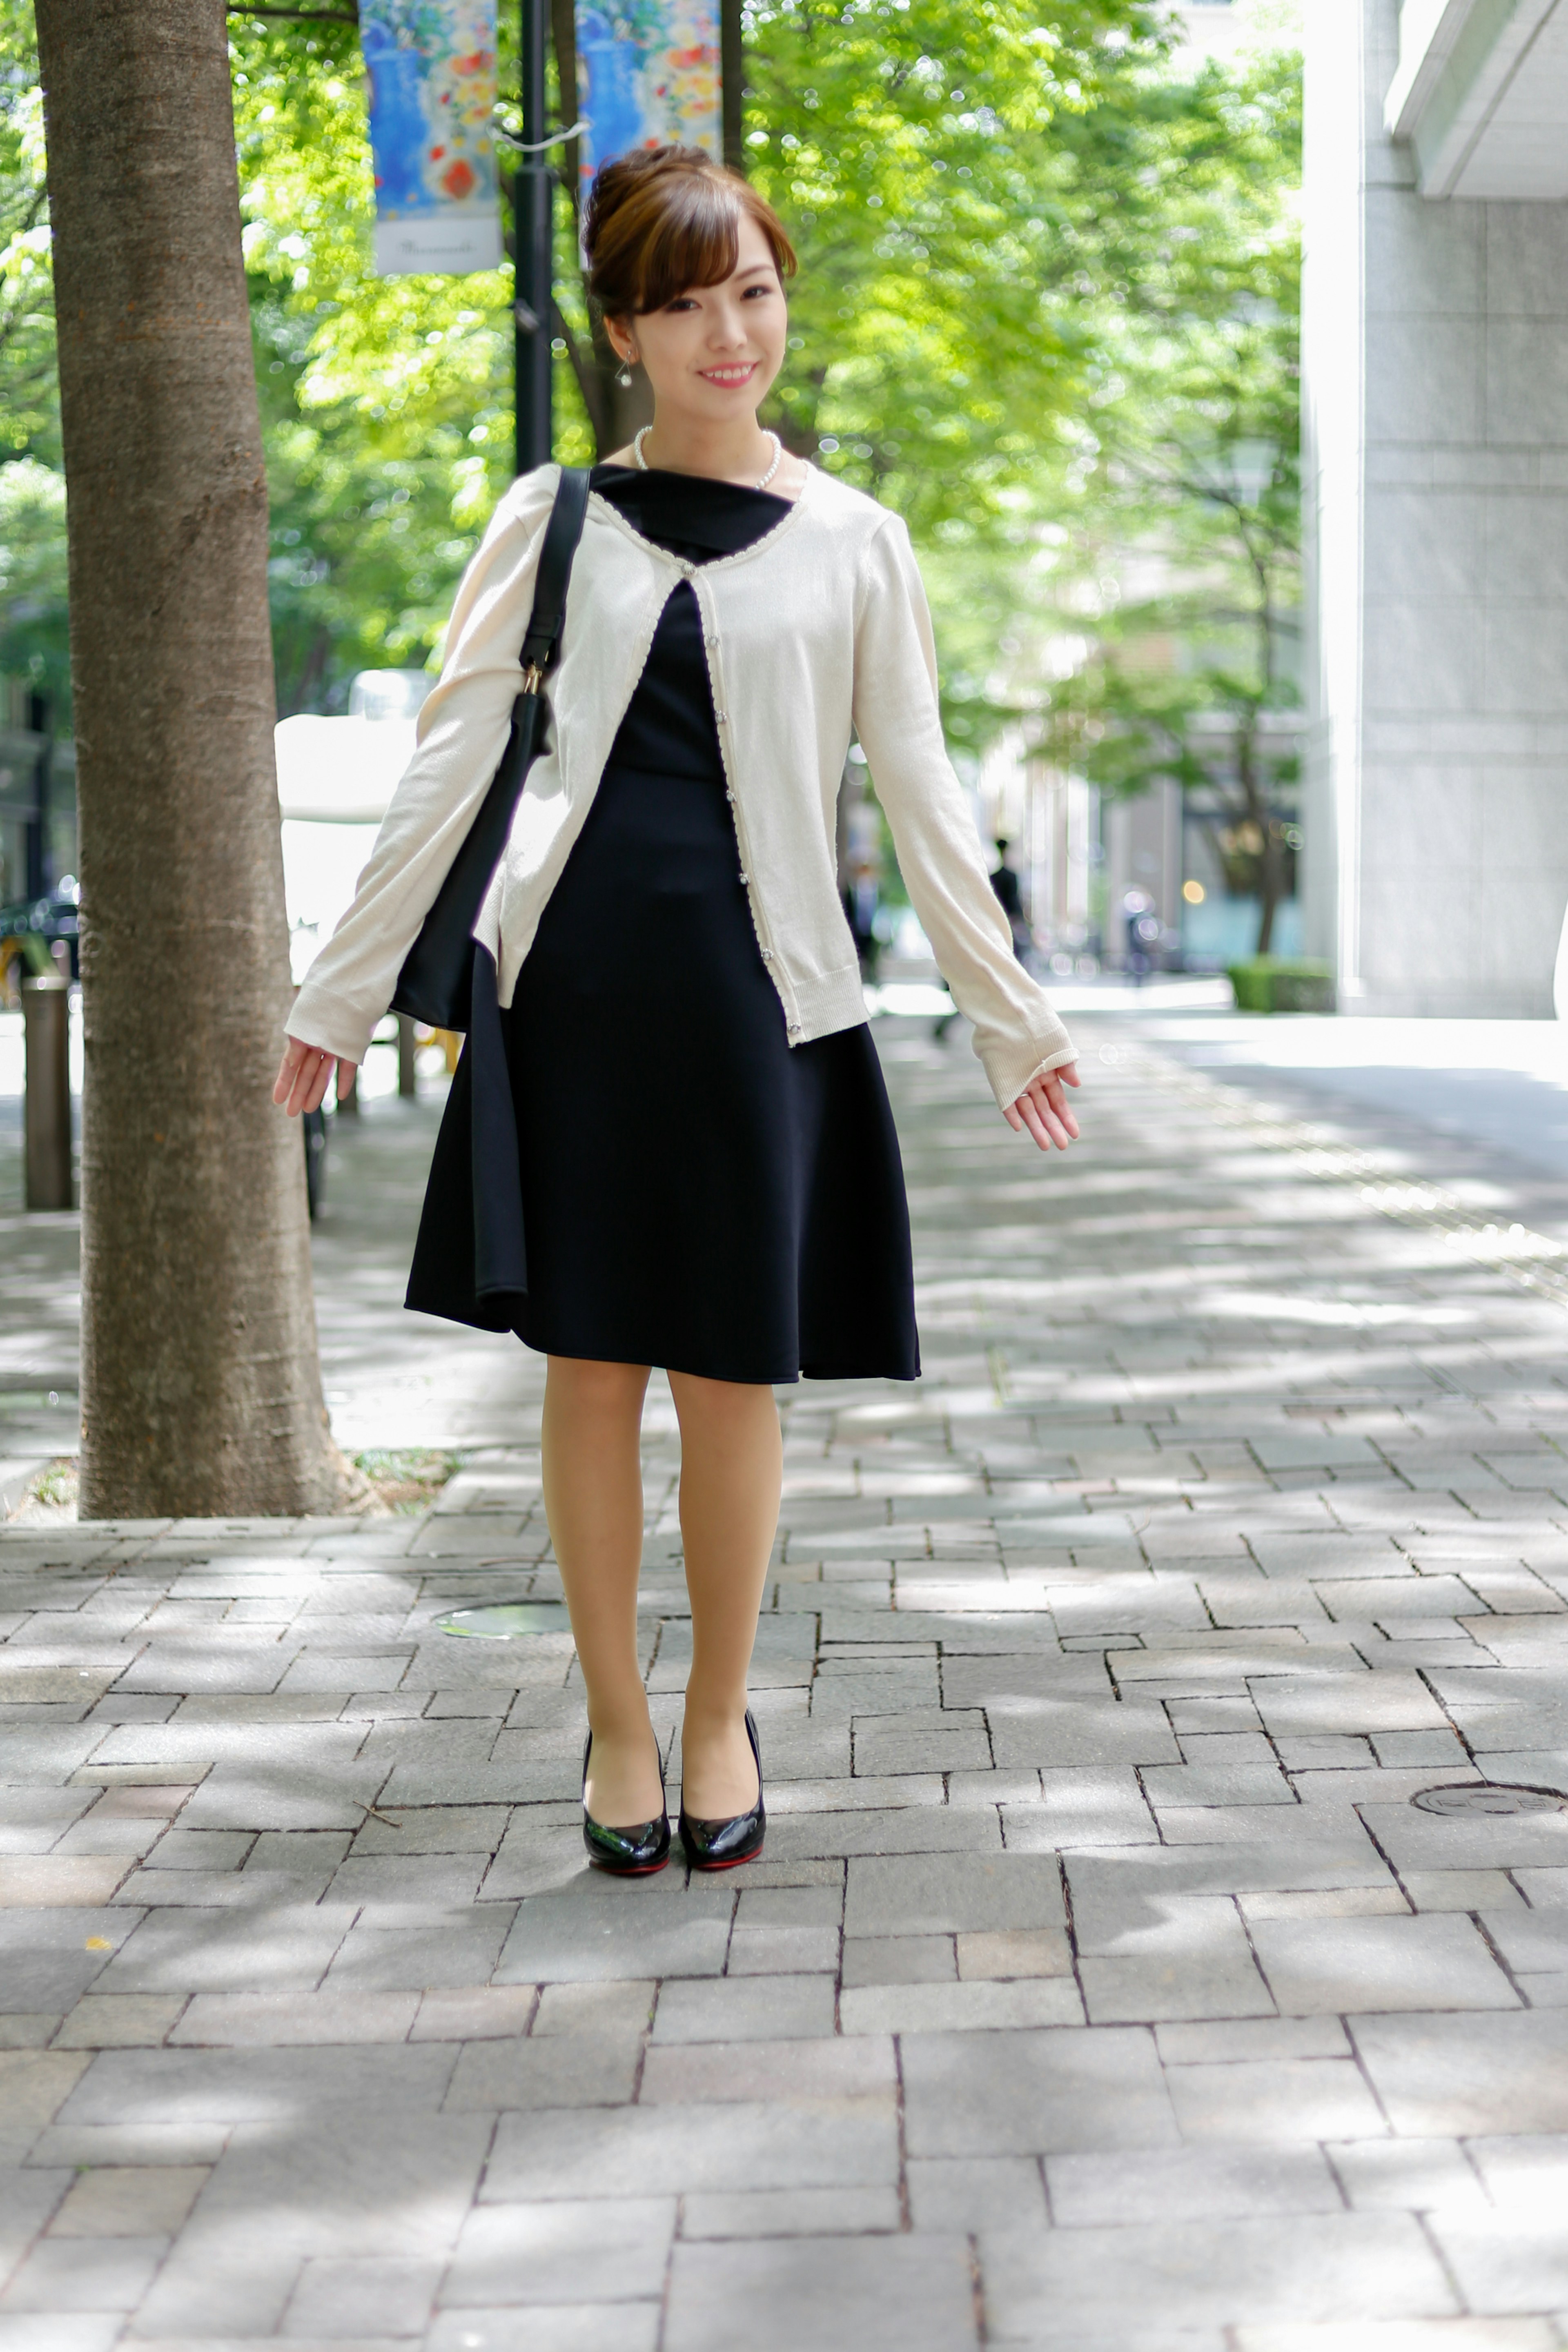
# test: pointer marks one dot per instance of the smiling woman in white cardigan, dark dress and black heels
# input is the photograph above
(671, 1121)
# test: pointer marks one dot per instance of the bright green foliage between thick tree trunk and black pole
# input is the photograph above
(387, 401)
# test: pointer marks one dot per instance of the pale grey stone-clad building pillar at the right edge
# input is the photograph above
(1435, 359)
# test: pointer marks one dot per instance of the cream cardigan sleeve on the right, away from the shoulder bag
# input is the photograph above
(899, 723)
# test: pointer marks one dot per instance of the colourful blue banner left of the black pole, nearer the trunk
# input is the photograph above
(431, 93)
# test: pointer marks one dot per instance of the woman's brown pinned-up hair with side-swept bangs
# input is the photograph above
(664, 220)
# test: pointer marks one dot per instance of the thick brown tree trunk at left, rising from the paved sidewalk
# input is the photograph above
(201, 1384)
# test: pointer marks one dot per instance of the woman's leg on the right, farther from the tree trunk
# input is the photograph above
(732, 1471)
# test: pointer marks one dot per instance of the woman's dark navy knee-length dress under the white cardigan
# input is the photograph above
(636, 1165)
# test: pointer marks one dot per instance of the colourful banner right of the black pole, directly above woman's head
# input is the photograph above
(652, 76)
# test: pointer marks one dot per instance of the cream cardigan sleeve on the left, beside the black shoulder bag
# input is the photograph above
(460, 742)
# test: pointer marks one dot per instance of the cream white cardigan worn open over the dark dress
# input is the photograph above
(812, 632)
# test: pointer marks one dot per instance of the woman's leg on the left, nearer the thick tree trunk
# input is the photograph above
(594, 1502)
